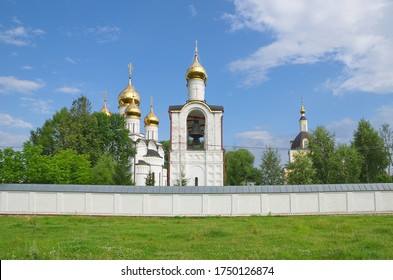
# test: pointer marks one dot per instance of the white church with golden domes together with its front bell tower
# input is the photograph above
(196, 153)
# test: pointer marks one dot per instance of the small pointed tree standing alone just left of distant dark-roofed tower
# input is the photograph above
(272, 172)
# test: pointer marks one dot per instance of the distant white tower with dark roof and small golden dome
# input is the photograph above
(300, 143)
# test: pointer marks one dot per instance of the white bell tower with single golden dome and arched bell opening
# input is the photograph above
(196, 155)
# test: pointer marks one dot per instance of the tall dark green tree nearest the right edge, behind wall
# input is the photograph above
(370, 145)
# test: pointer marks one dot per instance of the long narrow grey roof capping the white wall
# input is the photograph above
(199, 190)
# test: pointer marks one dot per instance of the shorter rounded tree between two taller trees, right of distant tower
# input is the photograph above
(345, 165)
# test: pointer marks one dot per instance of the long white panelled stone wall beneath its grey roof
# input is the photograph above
(195, 204)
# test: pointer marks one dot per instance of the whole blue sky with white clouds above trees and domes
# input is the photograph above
(263, 58)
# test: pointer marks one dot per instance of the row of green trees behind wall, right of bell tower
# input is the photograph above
(366, 159)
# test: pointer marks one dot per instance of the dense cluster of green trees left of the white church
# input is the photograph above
(75, 146)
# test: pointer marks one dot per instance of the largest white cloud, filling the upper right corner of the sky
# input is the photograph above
(355, 33)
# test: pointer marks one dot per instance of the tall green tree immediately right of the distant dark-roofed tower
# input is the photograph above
(321, 146)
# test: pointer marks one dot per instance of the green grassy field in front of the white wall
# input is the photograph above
(283, 238)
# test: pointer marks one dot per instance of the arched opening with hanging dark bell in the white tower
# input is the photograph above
(196, 130)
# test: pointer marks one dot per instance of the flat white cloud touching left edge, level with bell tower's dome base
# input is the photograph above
(9, 84)
